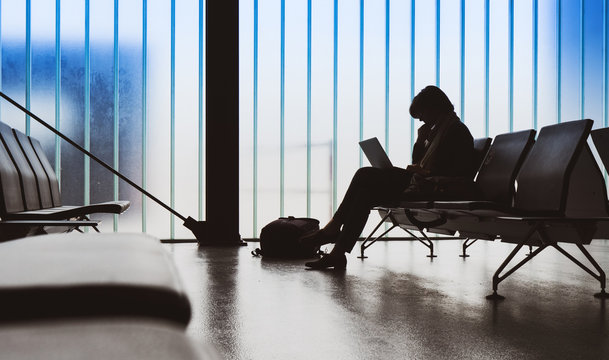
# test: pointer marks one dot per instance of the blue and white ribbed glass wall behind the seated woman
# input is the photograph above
(124, 79)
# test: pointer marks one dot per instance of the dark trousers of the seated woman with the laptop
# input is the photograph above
(369, 187)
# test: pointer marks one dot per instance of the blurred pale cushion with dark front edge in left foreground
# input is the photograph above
(79, 275)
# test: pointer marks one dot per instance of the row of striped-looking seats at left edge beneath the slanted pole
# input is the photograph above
(30, 198)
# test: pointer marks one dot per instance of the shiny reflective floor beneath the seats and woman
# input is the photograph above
(397, 304)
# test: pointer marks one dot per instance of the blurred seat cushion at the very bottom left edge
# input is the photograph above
(100, 339)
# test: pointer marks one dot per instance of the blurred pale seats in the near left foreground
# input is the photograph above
(76, 296)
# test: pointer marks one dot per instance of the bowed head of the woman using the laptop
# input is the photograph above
(430, 105)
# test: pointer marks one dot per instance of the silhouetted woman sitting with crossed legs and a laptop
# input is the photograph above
(444, 147)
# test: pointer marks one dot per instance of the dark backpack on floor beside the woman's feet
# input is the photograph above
(279, 238)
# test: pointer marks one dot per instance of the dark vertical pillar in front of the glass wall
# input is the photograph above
(222, 123)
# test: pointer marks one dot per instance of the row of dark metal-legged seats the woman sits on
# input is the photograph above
(533, 192)
